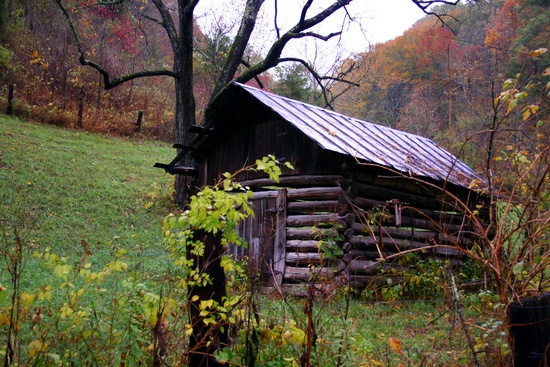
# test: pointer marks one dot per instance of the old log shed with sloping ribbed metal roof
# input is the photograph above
(359, 195)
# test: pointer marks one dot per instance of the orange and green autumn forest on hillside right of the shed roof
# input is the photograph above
(441, 81)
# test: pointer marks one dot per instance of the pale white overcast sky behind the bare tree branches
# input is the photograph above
(376, 21)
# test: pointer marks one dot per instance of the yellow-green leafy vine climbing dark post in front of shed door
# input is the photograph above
(196, 239)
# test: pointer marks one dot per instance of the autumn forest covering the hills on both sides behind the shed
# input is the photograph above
(436, 80)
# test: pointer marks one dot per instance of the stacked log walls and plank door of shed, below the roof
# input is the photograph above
(347, 229)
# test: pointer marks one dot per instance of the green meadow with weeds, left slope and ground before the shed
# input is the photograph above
(84, 265)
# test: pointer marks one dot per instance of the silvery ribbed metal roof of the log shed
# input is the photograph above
(402, 151)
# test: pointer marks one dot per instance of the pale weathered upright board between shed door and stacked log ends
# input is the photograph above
(279, 248)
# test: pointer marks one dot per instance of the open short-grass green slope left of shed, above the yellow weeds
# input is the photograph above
(62, 187)
